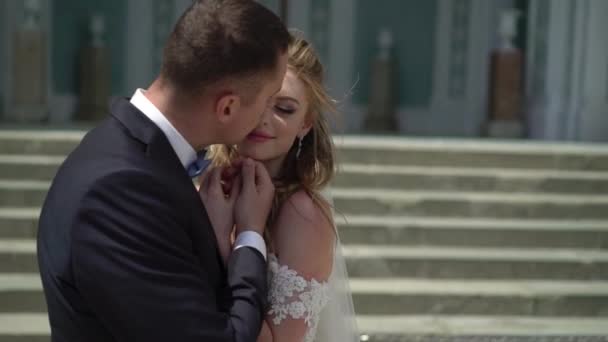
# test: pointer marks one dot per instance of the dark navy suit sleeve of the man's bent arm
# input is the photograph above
(133, 264)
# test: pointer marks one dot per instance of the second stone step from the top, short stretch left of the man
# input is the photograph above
(34, 167)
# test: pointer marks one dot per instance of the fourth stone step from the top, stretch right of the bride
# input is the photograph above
(428, 231)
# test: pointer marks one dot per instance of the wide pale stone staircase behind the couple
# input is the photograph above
(444, 239)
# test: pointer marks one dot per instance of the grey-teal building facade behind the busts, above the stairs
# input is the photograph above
(440, 52)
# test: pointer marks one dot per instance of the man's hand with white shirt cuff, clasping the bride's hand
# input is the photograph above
(255, 198)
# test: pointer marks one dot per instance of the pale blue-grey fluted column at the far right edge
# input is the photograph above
(567, 70)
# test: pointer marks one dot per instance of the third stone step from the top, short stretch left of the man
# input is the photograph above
(22, 193)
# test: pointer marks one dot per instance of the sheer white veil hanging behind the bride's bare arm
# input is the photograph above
(337, 322)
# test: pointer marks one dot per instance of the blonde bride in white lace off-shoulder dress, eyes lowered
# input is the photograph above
(309, 298)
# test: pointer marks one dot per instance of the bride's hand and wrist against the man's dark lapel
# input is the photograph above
(220, 207)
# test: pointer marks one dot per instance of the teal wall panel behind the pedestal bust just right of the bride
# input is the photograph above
(413, 25)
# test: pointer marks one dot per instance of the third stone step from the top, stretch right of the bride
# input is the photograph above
(468, 204)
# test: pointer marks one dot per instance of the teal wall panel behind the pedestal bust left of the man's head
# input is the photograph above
(71, 33)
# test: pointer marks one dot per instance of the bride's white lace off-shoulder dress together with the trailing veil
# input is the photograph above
(325, 306)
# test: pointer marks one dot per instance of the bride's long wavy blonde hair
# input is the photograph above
(314, 168)
